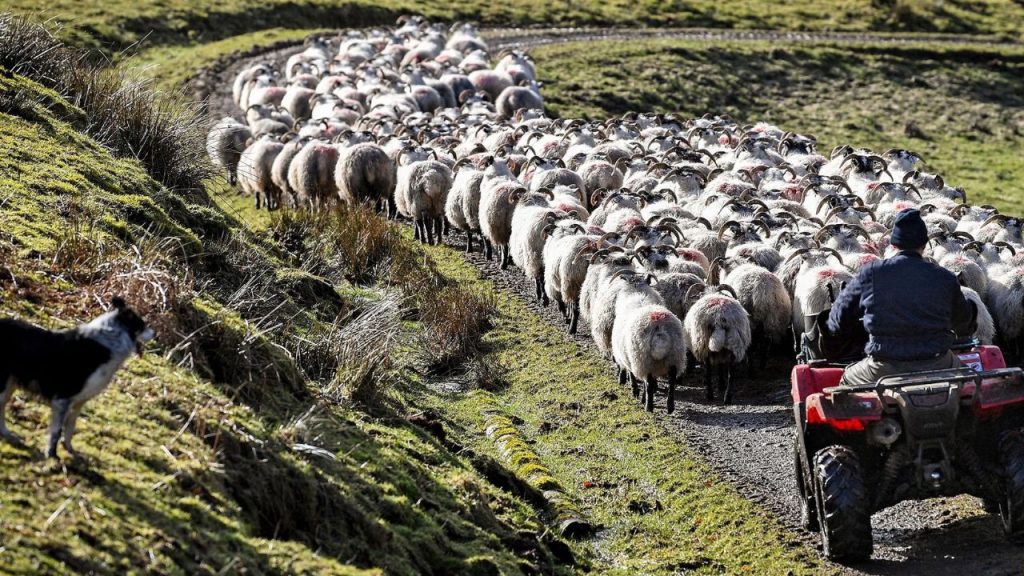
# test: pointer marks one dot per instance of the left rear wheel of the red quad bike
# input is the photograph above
(844, 514)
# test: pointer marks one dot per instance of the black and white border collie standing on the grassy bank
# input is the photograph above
(67, 368)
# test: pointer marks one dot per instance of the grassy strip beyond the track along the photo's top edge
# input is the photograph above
(113, 25)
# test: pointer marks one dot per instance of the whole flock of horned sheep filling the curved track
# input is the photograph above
(671, 238)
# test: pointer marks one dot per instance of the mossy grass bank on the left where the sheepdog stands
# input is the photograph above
(235, 445)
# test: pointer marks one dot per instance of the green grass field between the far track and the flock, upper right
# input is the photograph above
(968, 103)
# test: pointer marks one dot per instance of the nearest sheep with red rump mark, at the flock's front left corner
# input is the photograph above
(648, 341)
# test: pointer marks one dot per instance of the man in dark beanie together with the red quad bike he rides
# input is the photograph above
(920, 417)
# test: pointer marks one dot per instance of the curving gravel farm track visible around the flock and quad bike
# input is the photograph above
(749, 444)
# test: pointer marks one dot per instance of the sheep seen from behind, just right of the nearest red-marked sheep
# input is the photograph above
(719, 333)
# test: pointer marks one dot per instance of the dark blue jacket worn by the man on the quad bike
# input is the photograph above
(911, 308)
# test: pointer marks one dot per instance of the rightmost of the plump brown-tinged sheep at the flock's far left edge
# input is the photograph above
(365, 174)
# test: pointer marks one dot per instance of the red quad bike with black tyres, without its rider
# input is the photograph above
(915, 436)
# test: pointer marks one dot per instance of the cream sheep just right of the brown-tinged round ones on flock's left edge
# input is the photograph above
(421, 191)
